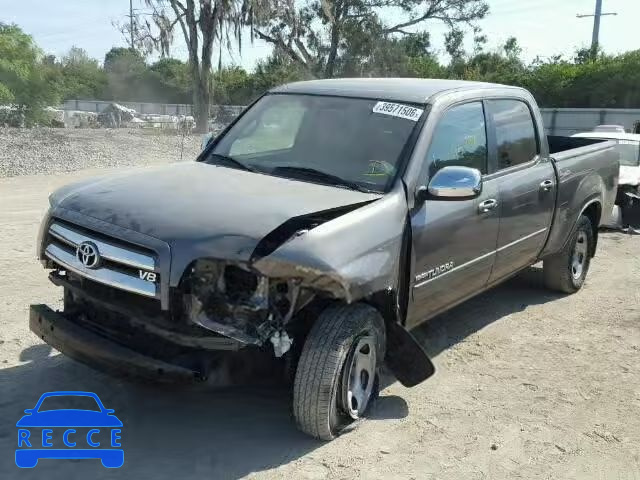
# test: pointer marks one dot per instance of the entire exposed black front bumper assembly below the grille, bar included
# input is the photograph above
(110, 331)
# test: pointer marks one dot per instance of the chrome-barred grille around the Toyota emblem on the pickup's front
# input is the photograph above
(121, 265)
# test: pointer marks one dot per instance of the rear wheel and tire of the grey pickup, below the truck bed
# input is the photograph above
(566, 270)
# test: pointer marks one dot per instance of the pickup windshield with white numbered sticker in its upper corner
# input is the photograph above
(334, 140)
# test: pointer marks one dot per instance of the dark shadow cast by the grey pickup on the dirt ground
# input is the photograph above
(193, 433)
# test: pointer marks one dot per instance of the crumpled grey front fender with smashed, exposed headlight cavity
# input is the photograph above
(347, 253)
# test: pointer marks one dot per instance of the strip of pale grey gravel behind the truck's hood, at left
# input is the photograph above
(50, 150)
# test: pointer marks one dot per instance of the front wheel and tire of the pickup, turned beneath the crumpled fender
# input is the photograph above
(337, 372)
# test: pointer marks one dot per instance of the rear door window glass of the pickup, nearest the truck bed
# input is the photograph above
(516, 139)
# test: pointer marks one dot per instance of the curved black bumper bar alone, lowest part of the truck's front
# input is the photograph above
(99, 352)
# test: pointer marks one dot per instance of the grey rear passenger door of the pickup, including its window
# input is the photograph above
(526, 181)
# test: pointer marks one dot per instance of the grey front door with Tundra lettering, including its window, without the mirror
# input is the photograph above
(454, 241)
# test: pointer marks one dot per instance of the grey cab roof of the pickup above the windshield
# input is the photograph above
(411, 90)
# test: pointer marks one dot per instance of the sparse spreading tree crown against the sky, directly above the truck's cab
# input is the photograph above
(316, 33)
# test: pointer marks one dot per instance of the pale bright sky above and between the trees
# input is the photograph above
(543, 27)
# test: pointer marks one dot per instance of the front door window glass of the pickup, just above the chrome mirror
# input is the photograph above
(460, 139)
